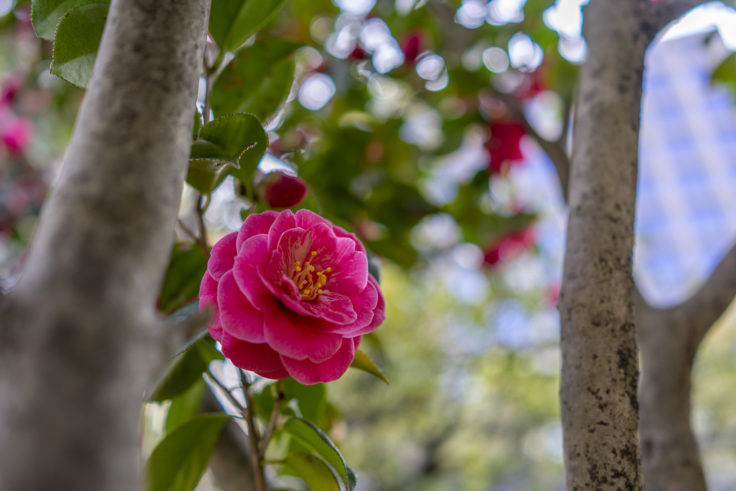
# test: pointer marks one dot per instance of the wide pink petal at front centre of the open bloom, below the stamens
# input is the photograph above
(291, 335)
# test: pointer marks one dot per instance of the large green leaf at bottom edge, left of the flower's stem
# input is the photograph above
(180, 459)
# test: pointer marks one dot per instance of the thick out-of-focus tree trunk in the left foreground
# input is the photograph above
(79, 335)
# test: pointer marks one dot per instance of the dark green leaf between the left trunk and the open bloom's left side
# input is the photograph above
(181, 282)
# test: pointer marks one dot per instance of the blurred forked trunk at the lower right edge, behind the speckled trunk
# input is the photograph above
(669, 339)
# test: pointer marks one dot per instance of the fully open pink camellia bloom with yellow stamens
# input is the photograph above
(292, 296)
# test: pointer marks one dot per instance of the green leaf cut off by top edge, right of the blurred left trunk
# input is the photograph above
(232, 22)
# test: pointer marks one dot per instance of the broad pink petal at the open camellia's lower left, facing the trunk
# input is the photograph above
(239, 318)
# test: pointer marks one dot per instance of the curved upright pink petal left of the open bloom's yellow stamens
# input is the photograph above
(253, 253)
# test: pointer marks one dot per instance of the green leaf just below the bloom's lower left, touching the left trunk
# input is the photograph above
(186, 369)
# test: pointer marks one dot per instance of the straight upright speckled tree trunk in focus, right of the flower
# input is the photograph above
(599, 354)
